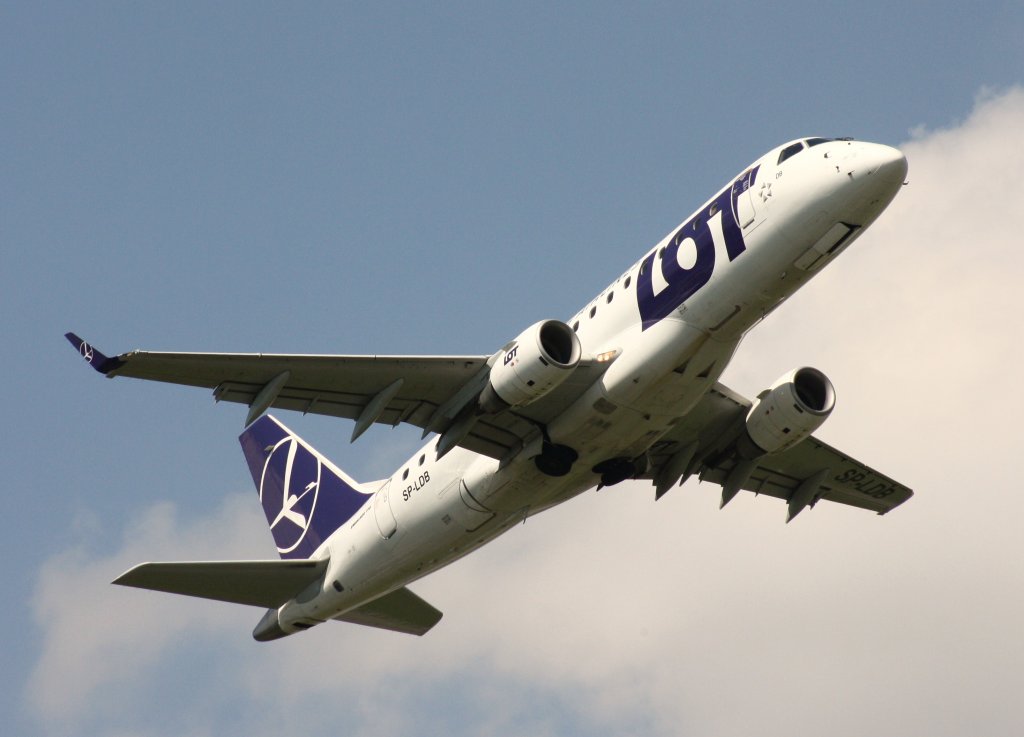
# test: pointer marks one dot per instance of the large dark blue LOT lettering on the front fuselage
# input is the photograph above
(697, 241)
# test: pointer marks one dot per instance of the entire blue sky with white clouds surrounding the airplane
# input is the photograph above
(389, 179)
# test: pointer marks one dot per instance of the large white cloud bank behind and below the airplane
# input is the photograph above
(619, 616)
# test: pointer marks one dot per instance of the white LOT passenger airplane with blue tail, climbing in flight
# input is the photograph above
(626, 389)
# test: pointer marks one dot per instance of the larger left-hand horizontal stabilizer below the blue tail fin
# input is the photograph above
(264, 584)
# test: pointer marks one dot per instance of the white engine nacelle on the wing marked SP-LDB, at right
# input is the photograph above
(794, 408)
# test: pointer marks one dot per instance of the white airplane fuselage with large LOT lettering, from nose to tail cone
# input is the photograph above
(675, 318)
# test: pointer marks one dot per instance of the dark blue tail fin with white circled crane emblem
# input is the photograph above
(305, 496)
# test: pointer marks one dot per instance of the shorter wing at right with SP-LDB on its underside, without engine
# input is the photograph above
(808, 472)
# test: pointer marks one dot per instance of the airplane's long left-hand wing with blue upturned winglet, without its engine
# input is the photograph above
(426, 392)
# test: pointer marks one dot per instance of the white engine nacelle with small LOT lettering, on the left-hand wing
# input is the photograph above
(537, 362)
